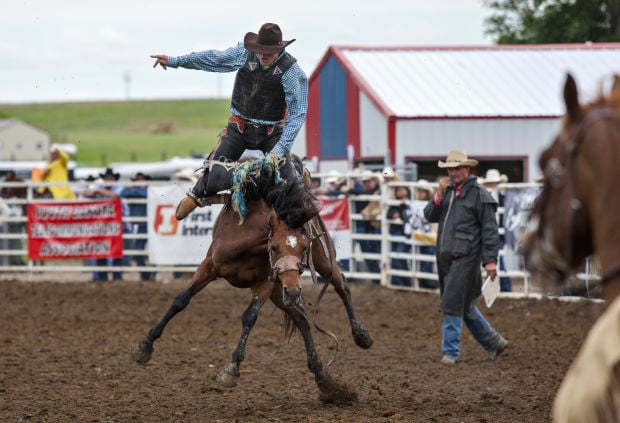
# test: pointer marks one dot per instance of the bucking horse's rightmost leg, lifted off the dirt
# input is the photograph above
(327, 267)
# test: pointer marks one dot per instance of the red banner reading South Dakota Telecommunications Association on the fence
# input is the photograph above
(62, 230)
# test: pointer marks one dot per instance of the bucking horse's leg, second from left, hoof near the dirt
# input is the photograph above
(230, 374)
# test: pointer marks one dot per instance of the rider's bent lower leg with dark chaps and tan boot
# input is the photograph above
(217, 178)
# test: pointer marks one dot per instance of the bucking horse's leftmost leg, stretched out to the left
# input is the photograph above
(201, 278)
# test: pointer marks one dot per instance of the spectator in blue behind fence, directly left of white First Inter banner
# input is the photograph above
(140, 192)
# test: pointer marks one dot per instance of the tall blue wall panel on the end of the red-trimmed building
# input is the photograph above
(333, 101)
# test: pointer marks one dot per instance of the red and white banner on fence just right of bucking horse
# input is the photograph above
(335, 214)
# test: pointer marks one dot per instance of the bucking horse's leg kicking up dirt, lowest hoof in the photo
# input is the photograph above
(330, 391)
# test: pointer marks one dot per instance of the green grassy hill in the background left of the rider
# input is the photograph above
(125, 131)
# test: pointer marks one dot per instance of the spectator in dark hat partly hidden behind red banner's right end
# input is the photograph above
(109, 190)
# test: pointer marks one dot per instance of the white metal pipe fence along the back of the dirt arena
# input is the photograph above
(359, 266)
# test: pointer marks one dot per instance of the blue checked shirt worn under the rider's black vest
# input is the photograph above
(294, 83)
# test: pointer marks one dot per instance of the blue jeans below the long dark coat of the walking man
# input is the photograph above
(480, 329)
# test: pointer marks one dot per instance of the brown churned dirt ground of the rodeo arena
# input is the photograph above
(65, 357)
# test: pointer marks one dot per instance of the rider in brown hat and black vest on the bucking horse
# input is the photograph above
(268, 107)
